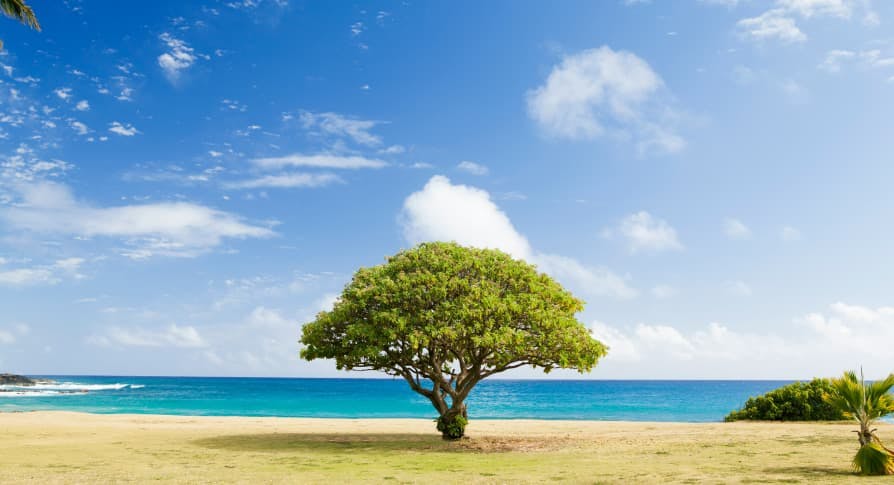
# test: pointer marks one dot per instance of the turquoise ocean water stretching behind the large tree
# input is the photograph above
(691, 401)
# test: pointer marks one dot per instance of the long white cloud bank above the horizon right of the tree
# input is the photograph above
(821, 343)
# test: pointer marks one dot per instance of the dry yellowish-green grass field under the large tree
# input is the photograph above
(51, 447)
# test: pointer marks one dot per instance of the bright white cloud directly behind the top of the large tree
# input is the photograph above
(442, 211)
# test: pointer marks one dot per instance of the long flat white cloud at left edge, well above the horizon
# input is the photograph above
(168, 228)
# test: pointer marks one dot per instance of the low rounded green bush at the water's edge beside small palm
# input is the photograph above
(800, 401)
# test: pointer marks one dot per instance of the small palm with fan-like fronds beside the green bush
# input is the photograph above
(865, 403)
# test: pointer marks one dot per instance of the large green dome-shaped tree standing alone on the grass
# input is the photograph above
(444, 317)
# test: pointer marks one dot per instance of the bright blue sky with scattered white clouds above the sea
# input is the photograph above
(184, 184)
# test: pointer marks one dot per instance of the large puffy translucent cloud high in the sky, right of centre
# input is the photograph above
(601, 92)
